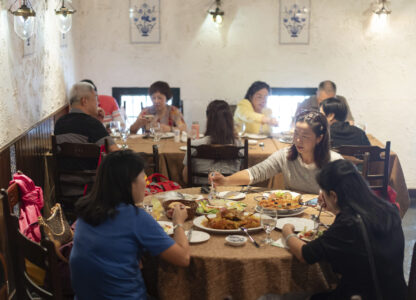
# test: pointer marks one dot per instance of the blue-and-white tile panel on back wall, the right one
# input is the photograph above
(294, 21)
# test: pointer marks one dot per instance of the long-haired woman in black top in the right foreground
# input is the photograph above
(346, 194)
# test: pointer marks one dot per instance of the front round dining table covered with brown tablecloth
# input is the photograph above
(220, 271)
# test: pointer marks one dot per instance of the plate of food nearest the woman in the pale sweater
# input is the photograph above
(286, 203)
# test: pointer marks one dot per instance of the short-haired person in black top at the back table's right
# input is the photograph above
(342, 133)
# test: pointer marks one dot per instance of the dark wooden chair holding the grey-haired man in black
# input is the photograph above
(81, 151)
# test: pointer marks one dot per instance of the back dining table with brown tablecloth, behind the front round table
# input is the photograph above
(171, 156)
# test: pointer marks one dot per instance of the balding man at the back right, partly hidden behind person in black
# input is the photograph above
(326, 89)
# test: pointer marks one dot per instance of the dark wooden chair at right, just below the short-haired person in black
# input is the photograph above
(378, 180)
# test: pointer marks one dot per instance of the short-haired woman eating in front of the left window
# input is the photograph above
(168, 116)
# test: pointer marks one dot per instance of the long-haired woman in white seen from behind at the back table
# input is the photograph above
(219, 131)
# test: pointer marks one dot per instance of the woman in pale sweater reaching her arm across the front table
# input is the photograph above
(299, 163)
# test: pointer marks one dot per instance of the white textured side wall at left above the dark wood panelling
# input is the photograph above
(34, 86)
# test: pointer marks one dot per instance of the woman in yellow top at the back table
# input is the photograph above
(252, 110)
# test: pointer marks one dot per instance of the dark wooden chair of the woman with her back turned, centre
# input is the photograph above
(214, 152)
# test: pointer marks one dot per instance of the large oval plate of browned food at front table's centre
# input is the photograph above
(228, 221)
